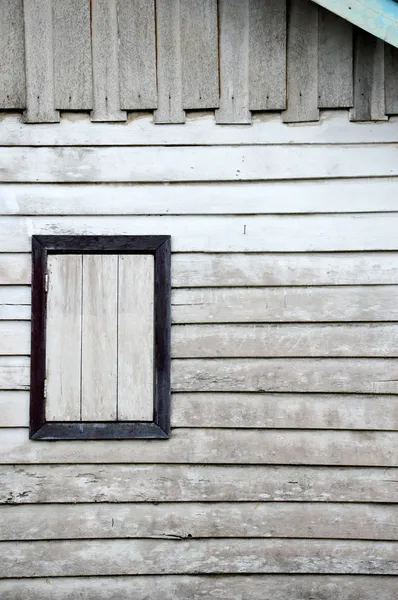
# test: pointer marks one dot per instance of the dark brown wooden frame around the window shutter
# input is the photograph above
(159, 247)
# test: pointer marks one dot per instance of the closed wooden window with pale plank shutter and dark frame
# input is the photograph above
(100, 366)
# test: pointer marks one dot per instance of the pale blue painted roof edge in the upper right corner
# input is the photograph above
(379, 17)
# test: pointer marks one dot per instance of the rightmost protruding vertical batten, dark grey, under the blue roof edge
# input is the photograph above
(369, 96)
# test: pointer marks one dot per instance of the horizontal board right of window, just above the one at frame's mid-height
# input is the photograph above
(290, 304)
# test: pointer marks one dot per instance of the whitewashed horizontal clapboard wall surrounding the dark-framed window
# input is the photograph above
(280, 477)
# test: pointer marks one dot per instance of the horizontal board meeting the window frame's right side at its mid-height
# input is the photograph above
(284, 340)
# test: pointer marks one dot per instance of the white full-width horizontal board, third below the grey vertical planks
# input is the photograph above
(317, 196)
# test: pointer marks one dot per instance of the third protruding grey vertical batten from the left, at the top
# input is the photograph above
(169, 63)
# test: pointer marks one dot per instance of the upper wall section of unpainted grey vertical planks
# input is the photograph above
(233, 57)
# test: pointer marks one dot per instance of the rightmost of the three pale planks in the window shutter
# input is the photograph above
(136, 338)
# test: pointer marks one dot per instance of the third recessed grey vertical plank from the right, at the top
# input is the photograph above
(267, 54)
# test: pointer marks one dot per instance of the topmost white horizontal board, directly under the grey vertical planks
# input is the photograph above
(77, 130)
